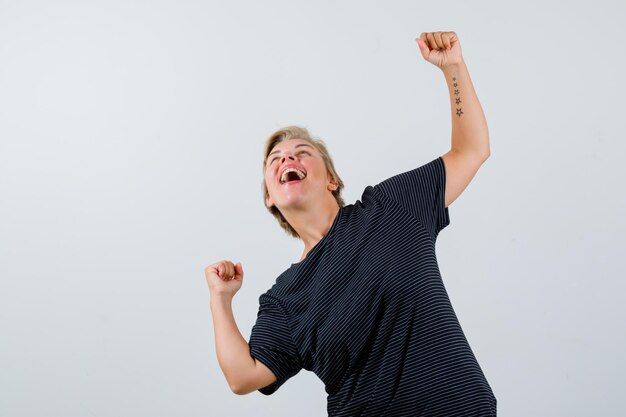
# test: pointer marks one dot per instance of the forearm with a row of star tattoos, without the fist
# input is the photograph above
(469, 126)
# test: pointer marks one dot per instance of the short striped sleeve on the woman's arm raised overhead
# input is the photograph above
(421, 191)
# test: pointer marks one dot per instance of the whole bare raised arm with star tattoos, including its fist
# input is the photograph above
(470, 134)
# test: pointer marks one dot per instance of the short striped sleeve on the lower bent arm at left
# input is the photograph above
(271, 343)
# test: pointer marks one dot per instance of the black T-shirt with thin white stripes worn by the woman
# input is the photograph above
(368, 313)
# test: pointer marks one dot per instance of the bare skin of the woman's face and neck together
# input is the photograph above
(308, 205)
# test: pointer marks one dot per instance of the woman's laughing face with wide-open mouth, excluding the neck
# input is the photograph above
(295, 192)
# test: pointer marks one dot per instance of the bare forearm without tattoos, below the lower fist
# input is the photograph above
(233, 351)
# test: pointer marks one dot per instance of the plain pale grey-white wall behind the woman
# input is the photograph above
(131, 139)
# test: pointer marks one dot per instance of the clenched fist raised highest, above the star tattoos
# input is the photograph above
(441, 49)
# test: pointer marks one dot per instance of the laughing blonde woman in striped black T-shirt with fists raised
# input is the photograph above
(364, 308)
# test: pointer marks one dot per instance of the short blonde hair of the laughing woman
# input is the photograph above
(297, 132)
